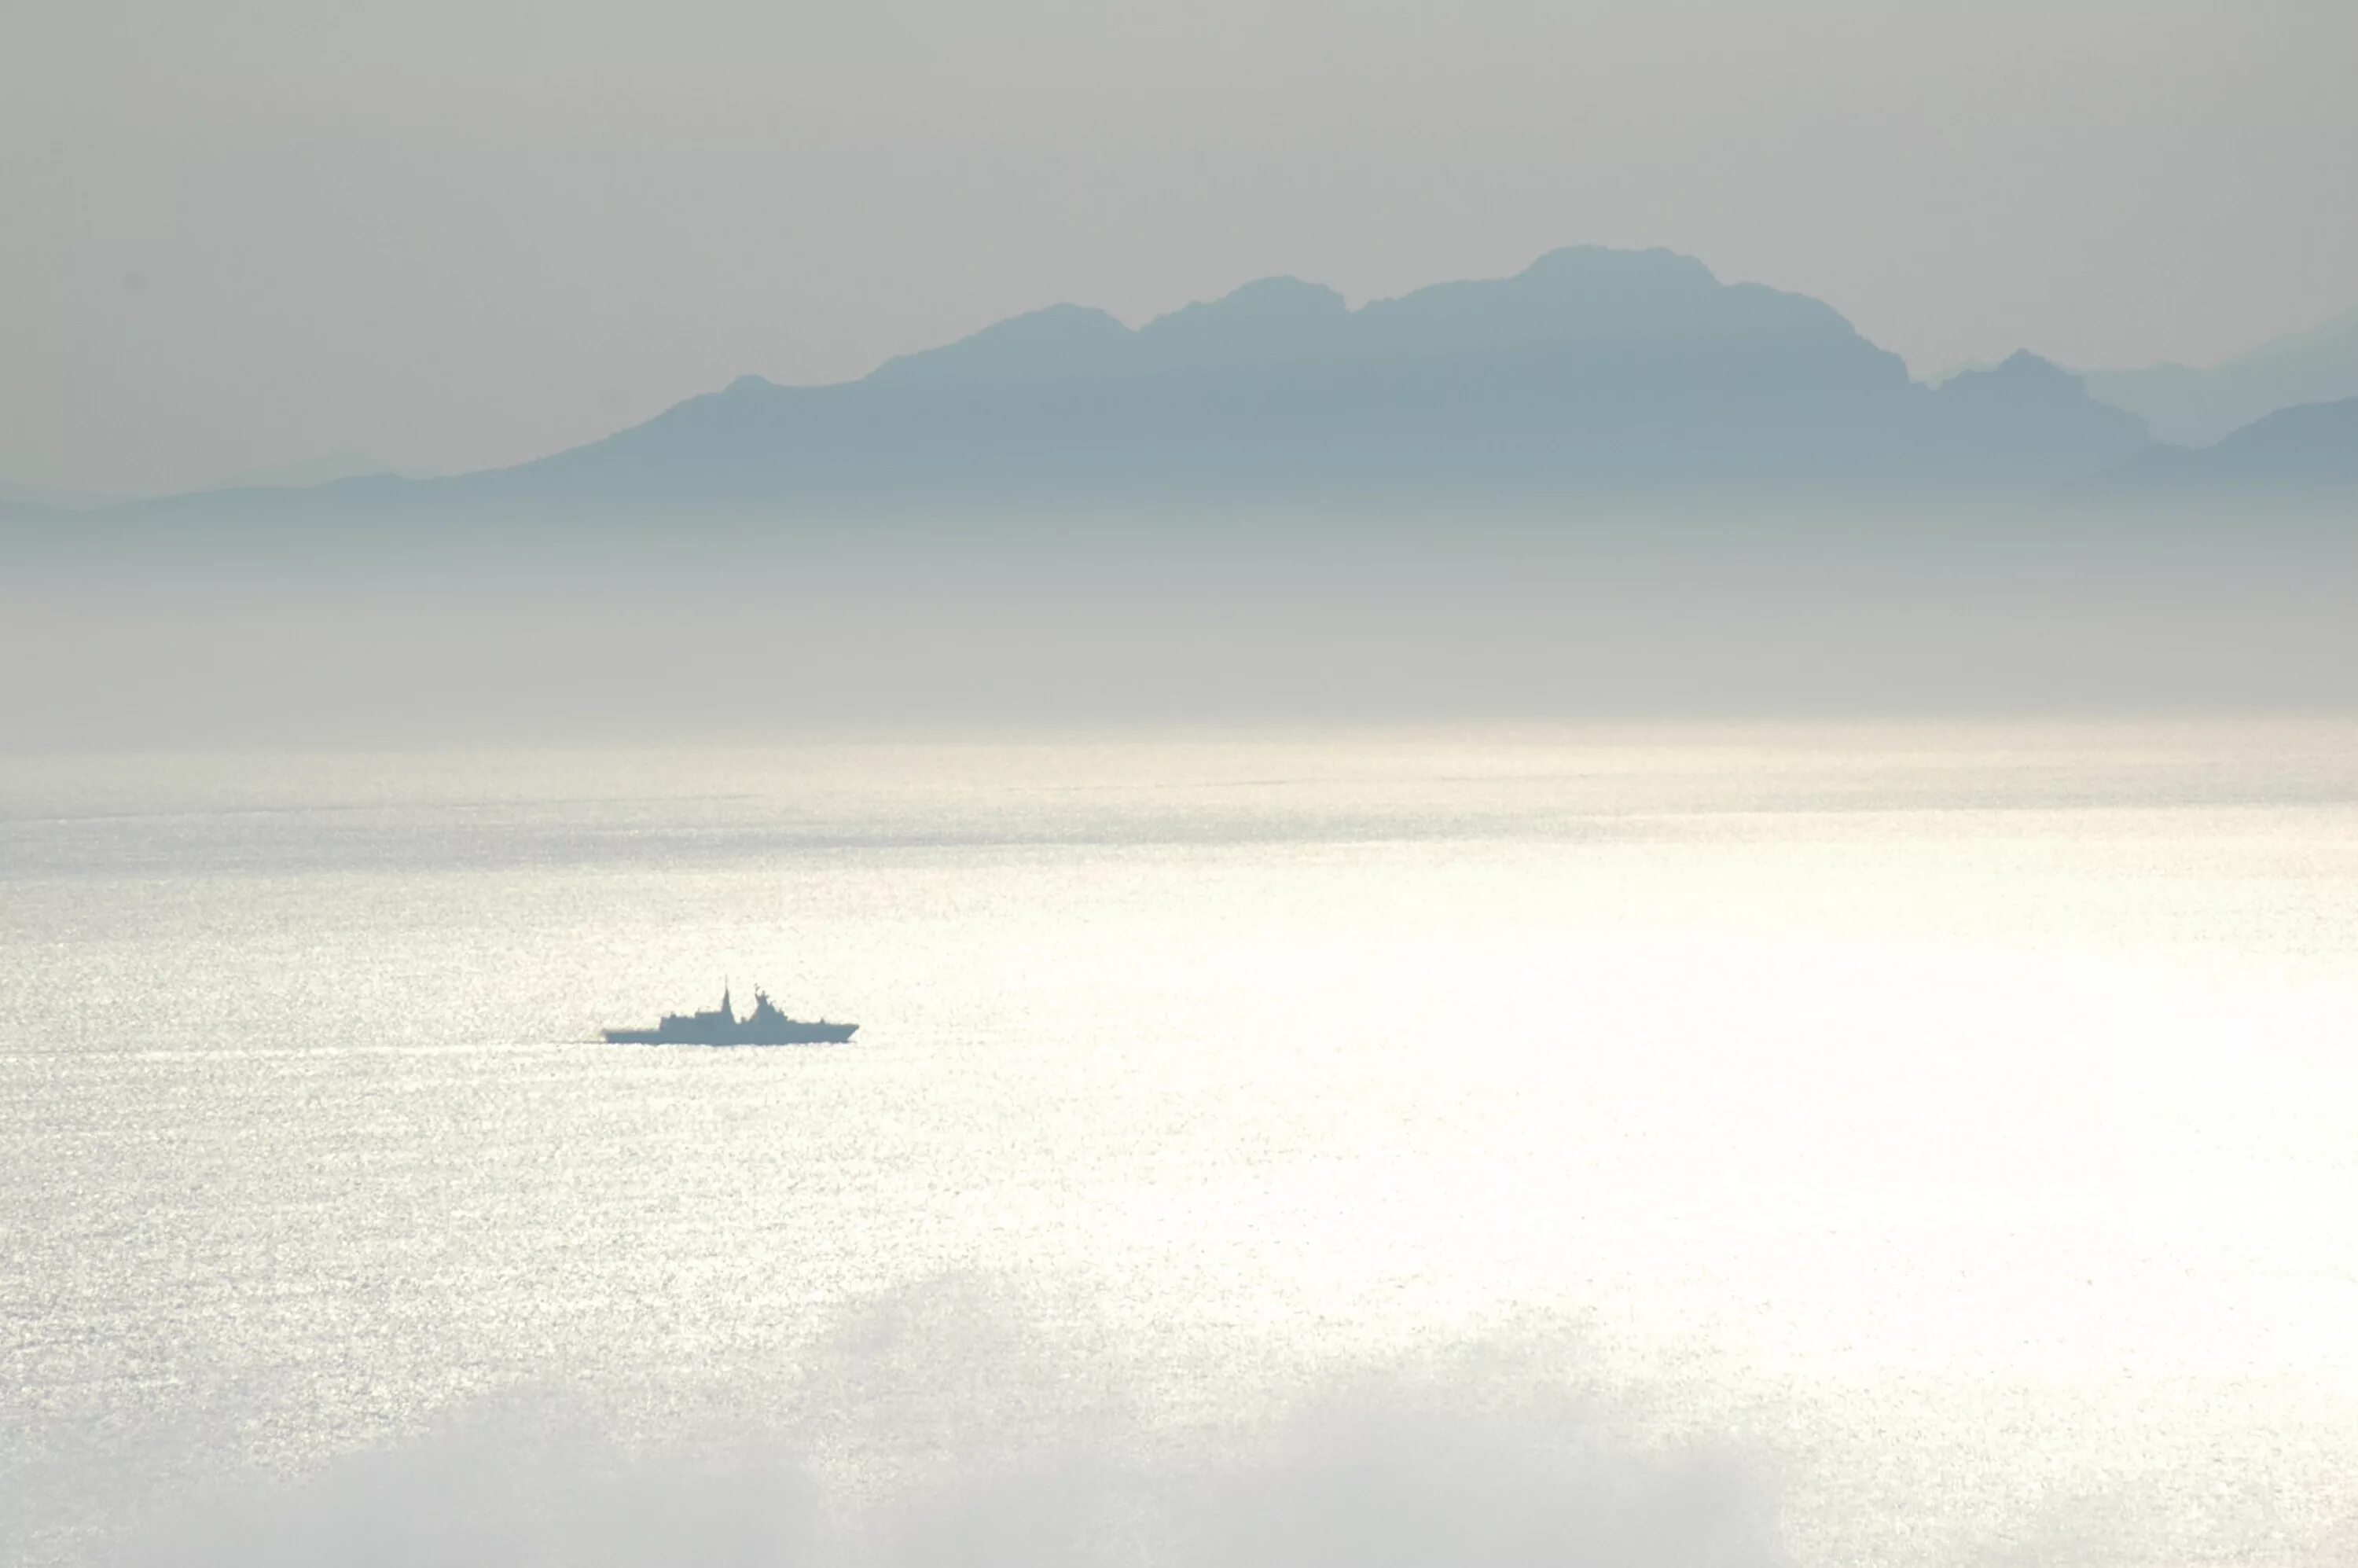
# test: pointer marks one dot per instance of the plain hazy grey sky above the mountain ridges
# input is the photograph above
(454, 235)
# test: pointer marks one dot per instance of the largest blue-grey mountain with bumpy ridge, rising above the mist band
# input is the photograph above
(1593, 376)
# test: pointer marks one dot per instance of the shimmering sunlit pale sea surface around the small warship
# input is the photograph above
(1954, 1131)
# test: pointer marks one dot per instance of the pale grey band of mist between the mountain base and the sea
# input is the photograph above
(765, 631)
